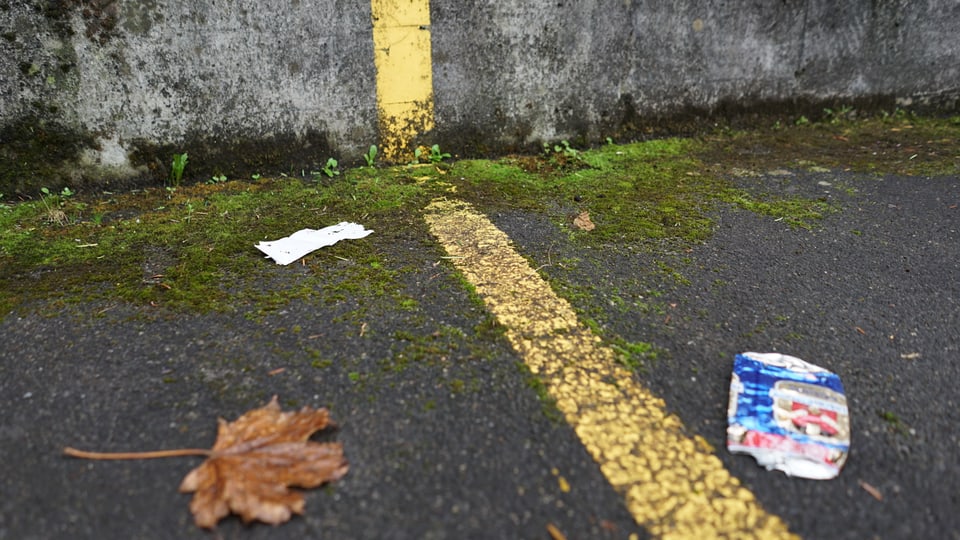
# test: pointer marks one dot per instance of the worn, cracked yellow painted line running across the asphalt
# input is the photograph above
(672, 483)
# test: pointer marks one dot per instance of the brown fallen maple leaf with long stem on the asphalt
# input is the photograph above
(253, 463)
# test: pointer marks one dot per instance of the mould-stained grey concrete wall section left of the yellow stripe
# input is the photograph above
(111, 88)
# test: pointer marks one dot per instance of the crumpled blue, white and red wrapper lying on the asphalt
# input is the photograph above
(788, 414)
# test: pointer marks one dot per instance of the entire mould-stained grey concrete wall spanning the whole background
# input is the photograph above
(105, 91)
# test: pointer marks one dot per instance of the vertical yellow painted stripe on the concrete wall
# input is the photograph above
(401, 41)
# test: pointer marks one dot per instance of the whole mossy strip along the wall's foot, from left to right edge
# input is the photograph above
(192, 248)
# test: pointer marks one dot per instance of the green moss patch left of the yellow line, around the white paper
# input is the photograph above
(191, 248)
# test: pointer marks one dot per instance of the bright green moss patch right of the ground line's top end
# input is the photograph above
(634, 193)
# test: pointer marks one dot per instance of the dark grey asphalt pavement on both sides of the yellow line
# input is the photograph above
(446, 434)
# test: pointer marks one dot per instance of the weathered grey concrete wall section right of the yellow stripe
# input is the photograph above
(507, 72)
